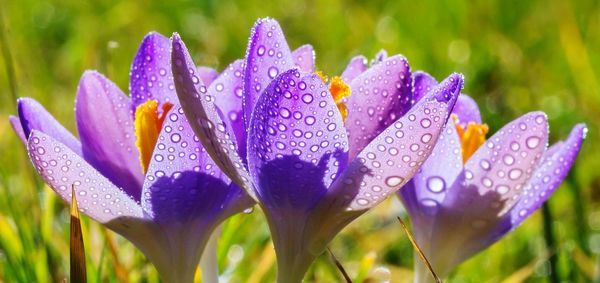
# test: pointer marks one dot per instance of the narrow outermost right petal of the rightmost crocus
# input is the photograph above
(549, 175)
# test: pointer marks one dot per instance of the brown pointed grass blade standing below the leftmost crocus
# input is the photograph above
(78, 271)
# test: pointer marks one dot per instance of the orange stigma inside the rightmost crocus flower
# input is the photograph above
(471, 137)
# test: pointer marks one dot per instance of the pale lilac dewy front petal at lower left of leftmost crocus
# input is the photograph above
(62, 168)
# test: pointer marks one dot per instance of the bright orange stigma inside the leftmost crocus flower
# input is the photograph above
(148, 122)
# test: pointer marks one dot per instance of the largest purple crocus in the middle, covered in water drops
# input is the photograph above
(277, 130)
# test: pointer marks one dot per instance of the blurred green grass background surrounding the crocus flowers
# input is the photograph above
(517, 56)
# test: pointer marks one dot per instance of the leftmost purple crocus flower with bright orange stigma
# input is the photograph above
(138, 171)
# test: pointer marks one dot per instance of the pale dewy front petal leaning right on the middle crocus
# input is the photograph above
(394, 156)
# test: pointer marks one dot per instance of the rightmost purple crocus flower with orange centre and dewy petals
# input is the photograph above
(471, 192)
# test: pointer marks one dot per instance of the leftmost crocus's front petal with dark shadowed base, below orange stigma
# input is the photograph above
(183, 183)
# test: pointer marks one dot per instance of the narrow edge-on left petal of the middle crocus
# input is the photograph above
(204, 118)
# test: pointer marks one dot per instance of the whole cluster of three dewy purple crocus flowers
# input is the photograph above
(190, 146)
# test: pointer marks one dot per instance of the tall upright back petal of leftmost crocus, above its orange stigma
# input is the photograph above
(151, 76)
